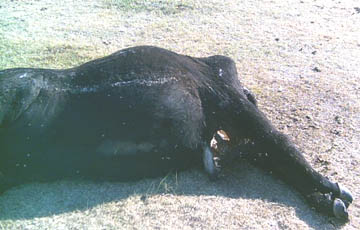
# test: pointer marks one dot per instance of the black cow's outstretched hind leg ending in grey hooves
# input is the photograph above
(275, 153)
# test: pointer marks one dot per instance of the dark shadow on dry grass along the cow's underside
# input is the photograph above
(243, 181)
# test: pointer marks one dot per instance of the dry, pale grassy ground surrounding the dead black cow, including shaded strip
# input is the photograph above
(300, 57)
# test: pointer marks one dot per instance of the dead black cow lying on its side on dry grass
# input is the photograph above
(142, 112)
